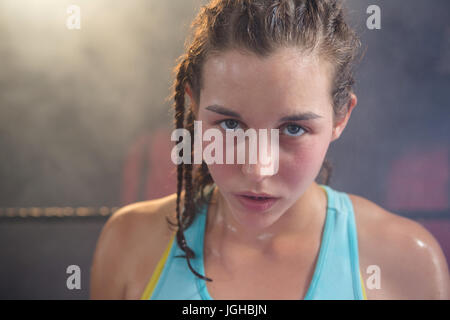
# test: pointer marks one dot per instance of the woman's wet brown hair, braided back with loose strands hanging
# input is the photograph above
(259, 27)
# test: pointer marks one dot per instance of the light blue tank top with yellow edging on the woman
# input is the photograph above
(336, 275)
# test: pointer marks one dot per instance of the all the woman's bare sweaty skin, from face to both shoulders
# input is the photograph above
(282, 244)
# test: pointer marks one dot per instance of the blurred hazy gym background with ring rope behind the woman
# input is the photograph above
(85, 125)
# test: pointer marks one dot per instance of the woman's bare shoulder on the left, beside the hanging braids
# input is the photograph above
(129, 245)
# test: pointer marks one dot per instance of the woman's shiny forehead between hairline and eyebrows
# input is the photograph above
(286, 78)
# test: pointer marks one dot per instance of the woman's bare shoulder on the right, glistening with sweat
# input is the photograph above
(409, 259)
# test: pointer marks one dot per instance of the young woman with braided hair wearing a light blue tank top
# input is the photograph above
(266, 64)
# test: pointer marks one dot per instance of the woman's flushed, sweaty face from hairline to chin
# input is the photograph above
(262, 92)
